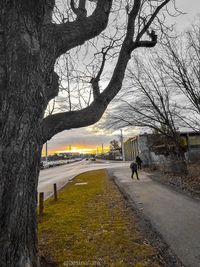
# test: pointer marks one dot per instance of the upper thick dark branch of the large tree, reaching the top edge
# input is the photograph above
(71, 34)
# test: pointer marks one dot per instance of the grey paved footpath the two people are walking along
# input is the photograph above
(175, 216)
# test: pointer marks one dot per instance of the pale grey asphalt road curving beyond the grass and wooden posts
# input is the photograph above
(61, 175)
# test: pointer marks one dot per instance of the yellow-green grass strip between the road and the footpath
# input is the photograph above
(91, 225)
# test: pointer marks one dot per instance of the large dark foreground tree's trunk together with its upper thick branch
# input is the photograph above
(28, 51)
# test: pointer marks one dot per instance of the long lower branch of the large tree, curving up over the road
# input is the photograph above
(58, 122)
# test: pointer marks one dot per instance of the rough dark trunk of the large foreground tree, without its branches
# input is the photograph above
(21, 112)
